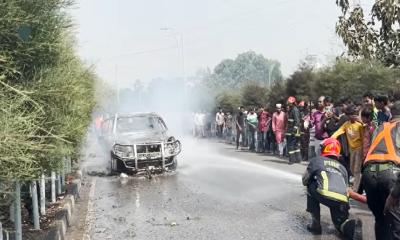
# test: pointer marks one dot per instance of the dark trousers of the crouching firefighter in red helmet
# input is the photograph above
(339, 210)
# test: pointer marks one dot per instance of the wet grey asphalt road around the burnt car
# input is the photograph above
(216, 193)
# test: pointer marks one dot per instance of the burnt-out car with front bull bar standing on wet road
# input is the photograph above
(139, 142)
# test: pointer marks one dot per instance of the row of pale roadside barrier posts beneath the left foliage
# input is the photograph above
(32, 195)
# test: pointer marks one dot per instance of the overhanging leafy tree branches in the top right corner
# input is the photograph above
(374, 38)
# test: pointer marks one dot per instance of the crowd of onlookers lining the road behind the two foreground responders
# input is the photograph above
(295, 129)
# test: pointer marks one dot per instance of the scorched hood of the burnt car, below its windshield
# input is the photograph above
(141, 137)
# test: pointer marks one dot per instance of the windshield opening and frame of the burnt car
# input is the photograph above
(139, 123)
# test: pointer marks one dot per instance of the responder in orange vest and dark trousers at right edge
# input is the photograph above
(380, 181)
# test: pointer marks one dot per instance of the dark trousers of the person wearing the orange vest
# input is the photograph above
(378, 185)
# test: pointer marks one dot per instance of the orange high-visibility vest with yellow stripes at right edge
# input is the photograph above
(383, 147)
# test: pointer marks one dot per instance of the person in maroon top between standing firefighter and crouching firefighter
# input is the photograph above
(317, 121)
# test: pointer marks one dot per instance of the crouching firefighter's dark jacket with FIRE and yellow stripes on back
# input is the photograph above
(329, 177)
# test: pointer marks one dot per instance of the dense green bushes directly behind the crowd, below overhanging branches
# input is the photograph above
(343, 79)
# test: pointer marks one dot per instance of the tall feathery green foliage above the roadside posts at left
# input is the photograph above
(46, 91)
